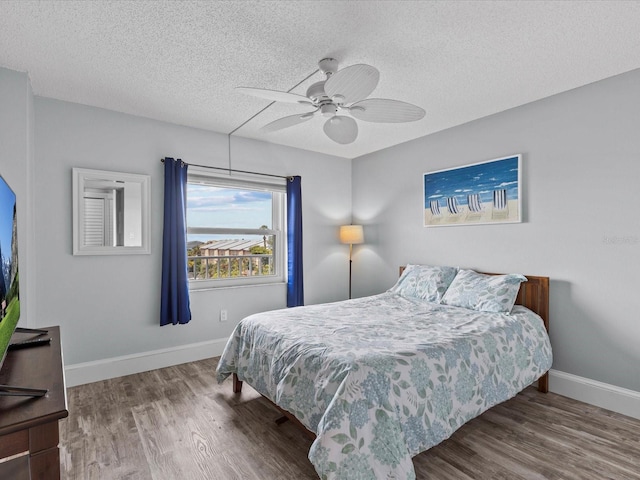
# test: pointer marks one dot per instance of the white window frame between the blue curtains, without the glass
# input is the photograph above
(277, 187)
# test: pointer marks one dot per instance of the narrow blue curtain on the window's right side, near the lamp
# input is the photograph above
(295, 289)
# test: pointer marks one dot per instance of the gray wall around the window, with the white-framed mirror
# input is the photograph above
(108, 306)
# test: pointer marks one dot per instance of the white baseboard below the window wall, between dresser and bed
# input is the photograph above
(88, 372)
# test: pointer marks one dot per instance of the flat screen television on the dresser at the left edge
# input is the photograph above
(10, 285)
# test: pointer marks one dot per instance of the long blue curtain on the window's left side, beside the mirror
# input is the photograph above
(174, 306)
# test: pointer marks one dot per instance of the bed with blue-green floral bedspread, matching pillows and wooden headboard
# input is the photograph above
(377, 380)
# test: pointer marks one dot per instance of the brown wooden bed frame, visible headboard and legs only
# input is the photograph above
(533, 294)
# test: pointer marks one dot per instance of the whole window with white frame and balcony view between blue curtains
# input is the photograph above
(235, 231)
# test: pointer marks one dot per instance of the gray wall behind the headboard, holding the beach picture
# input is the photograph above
(581, 162)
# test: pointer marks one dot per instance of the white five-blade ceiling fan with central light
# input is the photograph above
(343, 91)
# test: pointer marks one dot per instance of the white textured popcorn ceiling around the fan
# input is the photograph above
(179, 61)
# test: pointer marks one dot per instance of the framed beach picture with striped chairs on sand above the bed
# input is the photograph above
(476, 194)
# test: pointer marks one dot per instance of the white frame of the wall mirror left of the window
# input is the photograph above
(80, 177)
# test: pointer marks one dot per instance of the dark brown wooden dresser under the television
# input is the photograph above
(29, 433)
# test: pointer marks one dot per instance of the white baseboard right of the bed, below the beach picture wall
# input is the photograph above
(616, 399)
